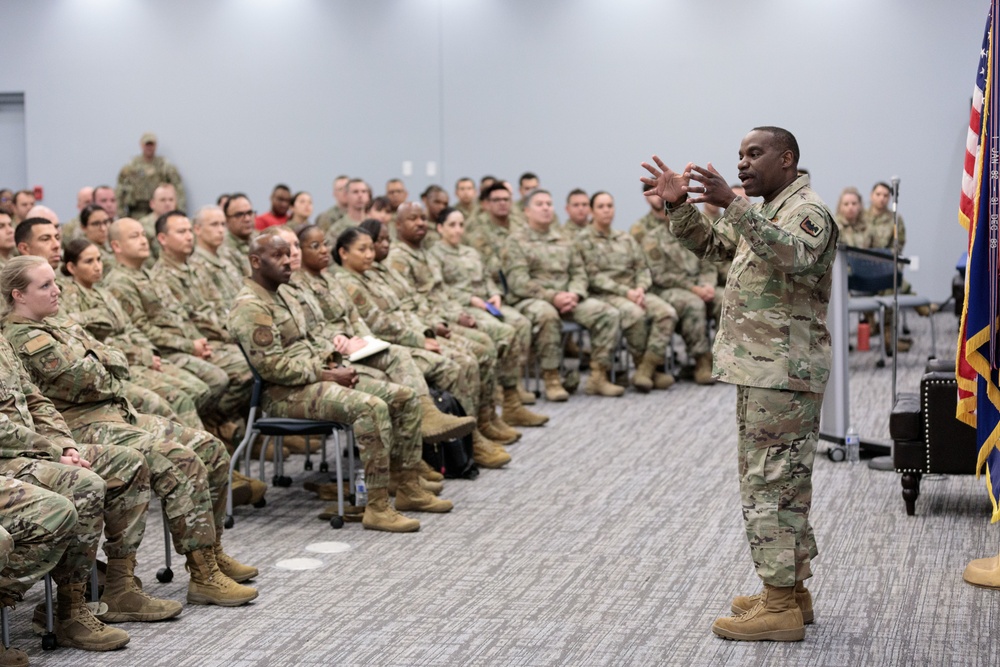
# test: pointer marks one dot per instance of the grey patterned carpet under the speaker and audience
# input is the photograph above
(613, 538)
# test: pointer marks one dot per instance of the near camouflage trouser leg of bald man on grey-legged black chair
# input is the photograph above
(368, 414)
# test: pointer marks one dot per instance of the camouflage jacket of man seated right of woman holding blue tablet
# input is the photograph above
(539, 265)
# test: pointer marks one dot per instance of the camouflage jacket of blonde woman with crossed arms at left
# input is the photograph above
(79, 374)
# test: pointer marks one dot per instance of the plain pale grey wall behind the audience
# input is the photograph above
(246, 93)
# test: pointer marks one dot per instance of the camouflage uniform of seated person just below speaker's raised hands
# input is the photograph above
(675, 270)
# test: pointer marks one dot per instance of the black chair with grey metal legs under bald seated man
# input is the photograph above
(279, 427)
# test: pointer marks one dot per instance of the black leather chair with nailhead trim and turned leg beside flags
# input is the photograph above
(927, 438)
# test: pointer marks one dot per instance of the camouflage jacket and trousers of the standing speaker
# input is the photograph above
(774, 344)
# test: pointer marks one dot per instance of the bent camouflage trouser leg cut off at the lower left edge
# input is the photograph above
(36, 527)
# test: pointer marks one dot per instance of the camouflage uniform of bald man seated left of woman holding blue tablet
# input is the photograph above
(420, 274)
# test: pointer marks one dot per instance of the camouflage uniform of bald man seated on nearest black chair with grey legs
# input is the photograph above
(386, 417)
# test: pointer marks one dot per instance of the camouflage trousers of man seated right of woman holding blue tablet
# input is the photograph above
(598, 317)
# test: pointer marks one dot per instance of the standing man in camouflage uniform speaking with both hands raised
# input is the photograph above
(774, 345)
